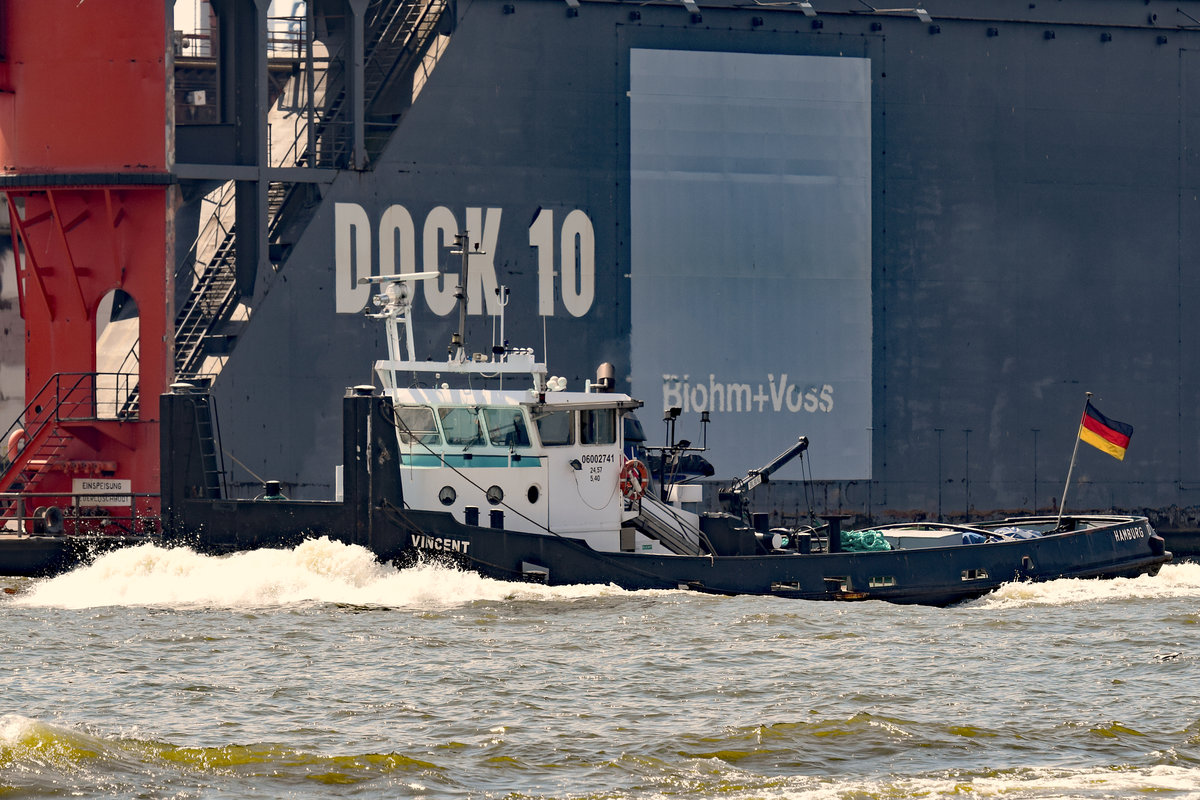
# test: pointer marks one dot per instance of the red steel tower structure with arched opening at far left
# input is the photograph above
(86, 158)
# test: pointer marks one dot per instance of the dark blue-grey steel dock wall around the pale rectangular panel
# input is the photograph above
(1033, 237)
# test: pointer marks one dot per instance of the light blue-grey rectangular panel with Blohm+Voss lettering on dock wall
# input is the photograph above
(752, 254)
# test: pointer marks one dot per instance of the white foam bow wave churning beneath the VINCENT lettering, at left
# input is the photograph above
(319, 570)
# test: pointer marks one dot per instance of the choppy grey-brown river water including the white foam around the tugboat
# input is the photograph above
(319, 673)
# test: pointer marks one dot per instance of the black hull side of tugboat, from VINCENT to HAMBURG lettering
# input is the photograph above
(1126, 548)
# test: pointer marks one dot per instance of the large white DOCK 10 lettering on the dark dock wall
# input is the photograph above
(403, 249)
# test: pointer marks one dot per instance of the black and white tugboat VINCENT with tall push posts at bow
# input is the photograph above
(526, 480)
